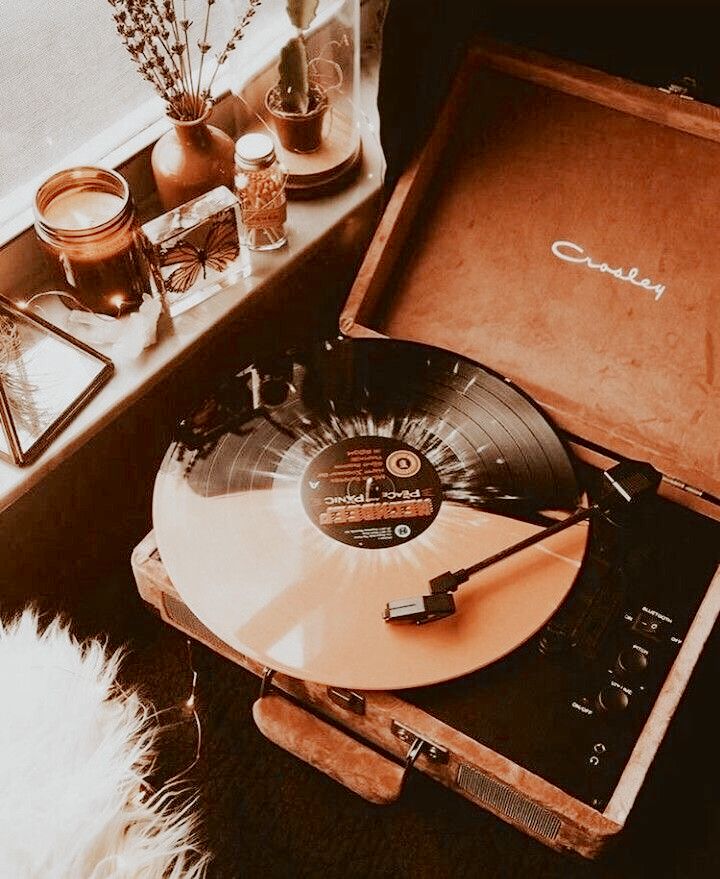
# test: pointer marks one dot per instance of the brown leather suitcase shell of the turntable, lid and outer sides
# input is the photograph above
(558, 227)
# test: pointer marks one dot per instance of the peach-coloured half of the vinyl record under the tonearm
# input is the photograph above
(255, 570)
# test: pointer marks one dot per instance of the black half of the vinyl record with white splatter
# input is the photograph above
(489, 442)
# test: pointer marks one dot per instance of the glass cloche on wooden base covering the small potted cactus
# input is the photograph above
(304, 88)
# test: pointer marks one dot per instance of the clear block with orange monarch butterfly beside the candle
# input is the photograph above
(197, 249)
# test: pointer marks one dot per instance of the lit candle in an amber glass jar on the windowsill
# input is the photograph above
(85, 219)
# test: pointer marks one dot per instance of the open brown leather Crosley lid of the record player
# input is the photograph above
(568, 241)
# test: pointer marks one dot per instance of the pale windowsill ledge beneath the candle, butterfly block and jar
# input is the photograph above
(334, 221)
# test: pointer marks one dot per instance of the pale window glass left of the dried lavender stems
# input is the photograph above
(65, 77)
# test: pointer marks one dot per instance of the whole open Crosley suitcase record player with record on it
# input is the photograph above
(512, 442)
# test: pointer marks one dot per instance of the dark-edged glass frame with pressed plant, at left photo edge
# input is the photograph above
(46, 377)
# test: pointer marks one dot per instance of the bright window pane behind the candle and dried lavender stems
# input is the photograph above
(72, 93)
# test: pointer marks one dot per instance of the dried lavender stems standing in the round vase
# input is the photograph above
(158, 41)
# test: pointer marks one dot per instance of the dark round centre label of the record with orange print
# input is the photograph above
(371, 492)
